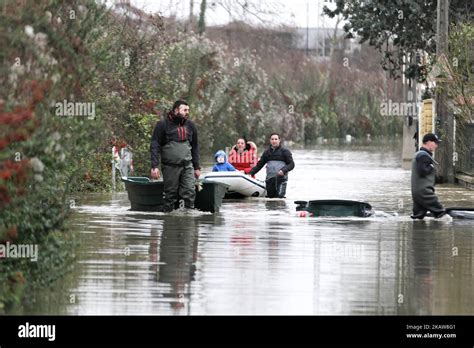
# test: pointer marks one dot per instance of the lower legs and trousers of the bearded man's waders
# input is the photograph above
(178, 182)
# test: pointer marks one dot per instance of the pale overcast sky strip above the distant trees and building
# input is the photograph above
(292, 13)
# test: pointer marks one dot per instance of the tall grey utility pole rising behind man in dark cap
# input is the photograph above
(444, 116)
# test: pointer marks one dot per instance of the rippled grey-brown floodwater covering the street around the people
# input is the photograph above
(257, 257)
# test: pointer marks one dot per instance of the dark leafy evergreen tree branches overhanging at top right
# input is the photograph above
(397, 28)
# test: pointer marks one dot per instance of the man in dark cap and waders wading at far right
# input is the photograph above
(423, 174)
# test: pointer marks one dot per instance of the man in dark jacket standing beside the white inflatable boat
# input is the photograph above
(279, 161)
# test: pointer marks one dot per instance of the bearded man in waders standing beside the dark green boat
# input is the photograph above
(175, 144)
